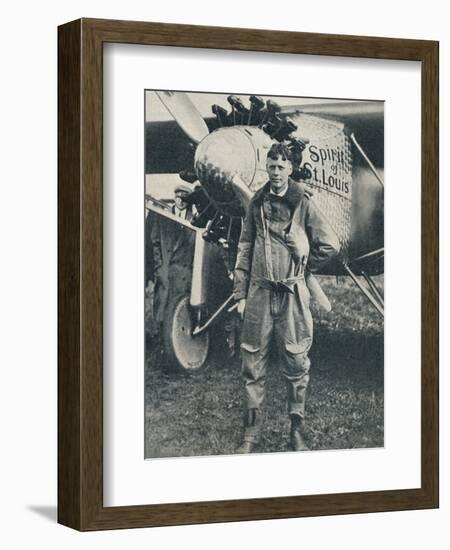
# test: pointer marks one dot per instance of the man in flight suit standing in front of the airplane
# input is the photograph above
(283, 235)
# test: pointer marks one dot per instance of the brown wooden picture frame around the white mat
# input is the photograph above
(80, 272)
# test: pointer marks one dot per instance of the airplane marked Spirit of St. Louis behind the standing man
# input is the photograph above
(338, 152)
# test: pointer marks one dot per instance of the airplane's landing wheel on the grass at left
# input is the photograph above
(184, 352)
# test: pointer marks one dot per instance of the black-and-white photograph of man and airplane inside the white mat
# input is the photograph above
(264, 273)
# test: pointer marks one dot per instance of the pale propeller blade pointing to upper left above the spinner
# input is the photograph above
(186, 115)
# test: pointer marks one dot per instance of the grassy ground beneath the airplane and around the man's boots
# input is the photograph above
(202, 414)
